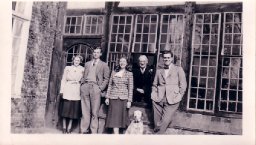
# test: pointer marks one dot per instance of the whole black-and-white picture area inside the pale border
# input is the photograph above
(125, 68)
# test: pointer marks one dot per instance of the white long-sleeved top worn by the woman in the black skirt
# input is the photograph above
(70, 83)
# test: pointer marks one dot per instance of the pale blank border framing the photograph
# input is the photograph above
(248, 137)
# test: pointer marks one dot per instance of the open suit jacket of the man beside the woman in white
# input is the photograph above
(102, 74)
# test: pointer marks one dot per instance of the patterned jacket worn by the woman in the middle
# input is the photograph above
(120, 87)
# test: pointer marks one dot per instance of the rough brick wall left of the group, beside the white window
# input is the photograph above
(28, 112)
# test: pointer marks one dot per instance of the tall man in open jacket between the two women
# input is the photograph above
(94, 82)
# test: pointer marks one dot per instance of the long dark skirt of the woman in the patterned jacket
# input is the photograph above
(117, 116)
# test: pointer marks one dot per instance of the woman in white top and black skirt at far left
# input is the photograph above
(70, 107)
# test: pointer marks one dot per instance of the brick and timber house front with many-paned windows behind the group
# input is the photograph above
(206, 40)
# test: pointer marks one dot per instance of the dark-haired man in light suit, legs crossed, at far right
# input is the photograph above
(168, 89)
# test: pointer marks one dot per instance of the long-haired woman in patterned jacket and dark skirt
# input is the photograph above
(119, 97)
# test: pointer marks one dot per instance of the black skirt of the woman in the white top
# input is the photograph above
(70, 109)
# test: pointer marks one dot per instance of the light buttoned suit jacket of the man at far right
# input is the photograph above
(173, 86)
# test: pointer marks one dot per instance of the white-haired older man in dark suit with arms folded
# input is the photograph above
(142, 81)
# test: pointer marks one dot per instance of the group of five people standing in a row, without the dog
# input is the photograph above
(82, 90)
